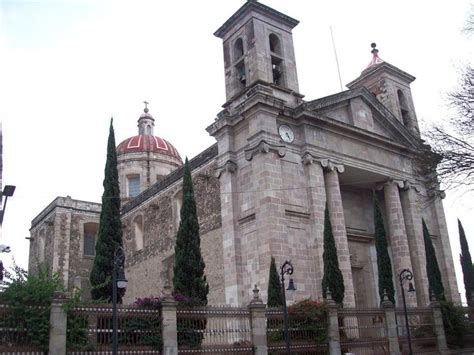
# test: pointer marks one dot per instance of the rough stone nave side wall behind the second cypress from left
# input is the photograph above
(150, 268)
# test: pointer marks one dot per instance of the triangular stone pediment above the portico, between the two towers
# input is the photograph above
(359, 110)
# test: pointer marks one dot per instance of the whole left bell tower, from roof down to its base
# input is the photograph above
(256, 145)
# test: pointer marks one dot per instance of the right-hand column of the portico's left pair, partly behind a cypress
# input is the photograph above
(336, 214)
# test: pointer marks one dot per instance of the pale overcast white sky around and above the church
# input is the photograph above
(66, 67)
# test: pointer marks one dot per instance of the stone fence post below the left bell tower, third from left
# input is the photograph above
(258, 324)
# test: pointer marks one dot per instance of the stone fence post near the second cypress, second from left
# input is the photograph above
(168, 323)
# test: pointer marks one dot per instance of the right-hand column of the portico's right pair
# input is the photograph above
(414, 230)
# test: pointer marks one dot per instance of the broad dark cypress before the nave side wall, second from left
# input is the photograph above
(189, 279)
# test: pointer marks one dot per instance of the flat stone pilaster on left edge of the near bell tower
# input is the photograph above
(230, 236)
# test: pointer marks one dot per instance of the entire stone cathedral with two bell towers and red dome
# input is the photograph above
(262, 188)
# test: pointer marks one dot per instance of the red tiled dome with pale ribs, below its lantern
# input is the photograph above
(147, 143)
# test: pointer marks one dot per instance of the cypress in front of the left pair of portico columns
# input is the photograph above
(332, 278)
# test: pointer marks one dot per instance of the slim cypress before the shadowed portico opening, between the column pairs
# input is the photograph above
(384, 264)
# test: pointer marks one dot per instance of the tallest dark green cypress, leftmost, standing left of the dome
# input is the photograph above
(110, 228)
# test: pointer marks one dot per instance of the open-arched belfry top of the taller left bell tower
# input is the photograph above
(258, 48)
